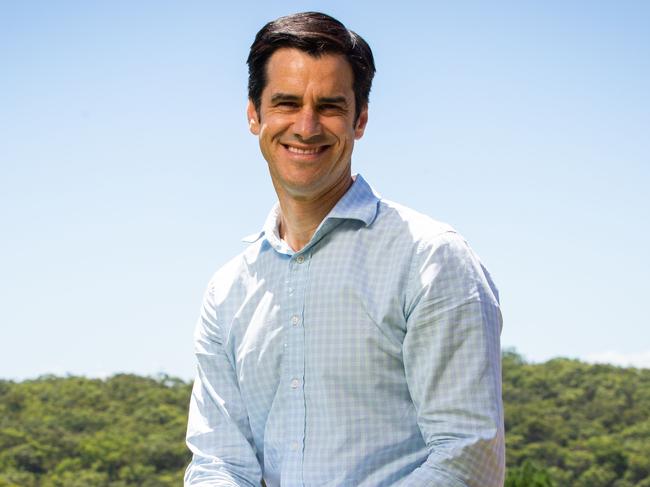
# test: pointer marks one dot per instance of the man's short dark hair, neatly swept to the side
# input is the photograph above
(316, 34)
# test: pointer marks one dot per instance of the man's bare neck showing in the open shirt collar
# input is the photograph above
(300, 216)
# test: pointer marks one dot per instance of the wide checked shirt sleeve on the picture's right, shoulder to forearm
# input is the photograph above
(452, 361)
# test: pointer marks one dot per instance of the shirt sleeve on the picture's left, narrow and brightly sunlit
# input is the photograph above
(218, 433)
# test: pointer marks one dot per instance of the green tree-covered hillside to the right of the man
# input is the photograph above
(573, 424)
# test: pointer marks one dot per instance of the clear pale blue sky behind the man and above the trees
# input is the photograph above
(128, 173)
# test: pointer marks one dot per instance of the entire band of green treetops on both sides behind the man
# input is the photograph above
(567, 424)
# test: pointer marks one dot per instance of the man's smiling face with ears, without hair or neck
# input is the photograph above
(306, 124)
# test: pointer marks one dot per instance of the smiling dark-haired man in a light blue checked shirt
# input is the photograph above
(354, 342)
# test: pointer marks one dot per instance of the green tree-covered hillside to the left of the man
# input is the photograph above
(68, 432)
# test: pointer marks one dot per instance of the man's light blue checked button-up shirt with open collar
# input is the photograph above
(369, 358)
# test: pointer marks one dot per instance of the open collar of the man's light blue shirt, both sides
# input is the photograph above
(358, 203)
